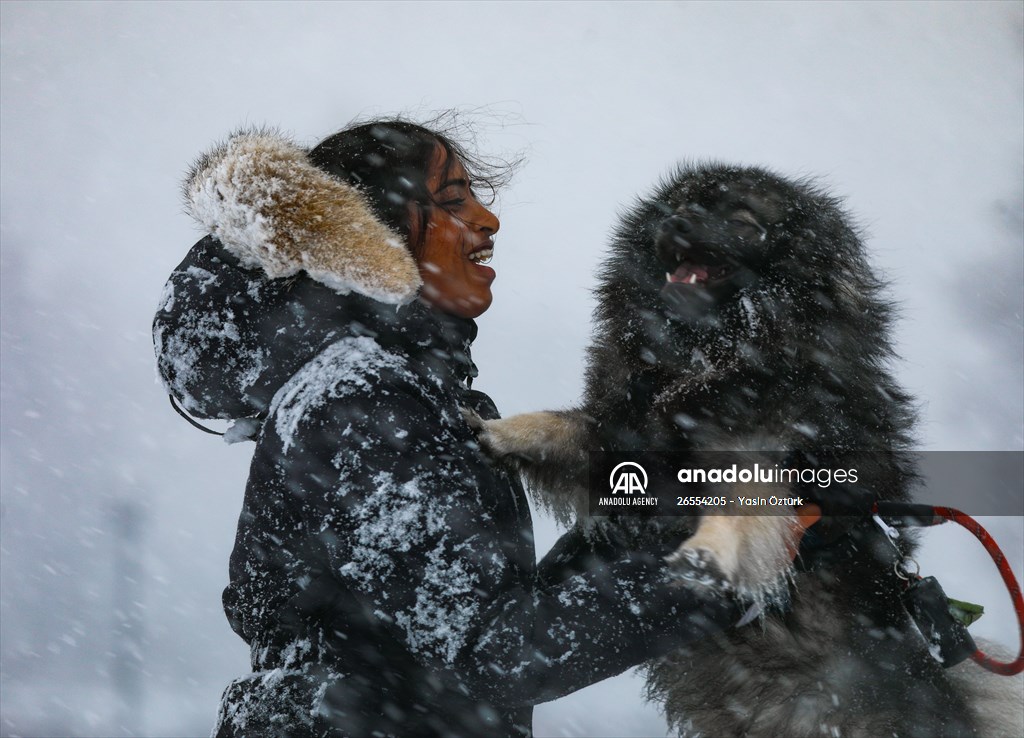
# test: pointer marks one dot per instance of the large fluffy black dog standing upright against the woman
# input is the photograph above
(738, 315)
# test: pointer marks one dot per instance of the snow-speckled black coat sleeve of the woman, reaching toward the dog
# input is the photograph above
(408, 516)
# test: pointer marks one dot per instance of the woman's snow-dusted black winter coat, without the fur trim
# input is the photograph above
(385, 573)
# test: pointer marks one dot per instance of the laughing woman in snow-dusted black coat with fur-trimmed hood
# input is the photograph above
(385, 572)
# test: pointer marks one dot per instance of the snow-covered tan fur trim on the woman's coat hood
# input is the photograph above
(270, 207)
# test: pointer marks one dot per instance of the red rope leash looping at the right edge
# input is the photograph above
(927, 515)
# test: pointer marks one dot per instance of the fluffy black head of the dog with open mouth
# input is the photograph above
(727, 261)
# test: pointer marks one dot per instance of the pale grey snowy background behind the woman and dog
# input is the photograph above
(118, 518)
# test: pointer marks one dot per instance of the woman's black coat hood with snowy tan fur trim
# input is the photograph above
(296, 262)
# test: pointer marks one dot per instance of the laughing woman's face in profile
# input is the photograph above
(459, 238)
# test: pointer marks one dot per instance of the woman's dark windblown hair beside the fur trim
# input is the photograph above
(389, 161)
